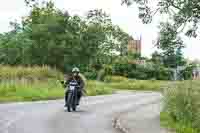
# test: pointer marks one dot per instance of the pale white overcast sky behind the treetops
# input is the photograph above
(126, 18)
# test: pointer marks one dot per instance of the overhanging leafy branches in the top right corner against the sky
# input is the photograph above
(182, 13)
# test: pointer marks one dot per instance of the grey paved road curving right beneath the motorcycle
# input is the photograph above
(95, 115)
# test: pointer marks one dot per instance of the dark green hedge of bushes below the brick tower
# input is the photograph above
(148, 70)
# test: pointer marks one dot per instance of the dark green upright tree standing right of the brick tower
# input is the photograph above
(171, 45)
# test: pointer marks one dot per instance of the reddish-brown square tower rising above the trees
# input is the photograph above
(135, 46)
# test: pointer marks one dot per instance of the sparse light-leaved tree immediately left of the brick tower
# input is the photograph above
(111, 37)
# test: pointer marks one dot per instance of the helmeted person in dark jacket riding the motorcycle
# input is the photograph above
(75, 76)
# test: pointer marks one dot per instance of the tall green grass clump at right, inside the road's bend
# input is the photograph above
(182, 104)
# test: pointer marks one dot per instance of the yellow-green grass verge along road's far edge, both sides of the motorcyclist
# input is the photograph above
(41, 83)
